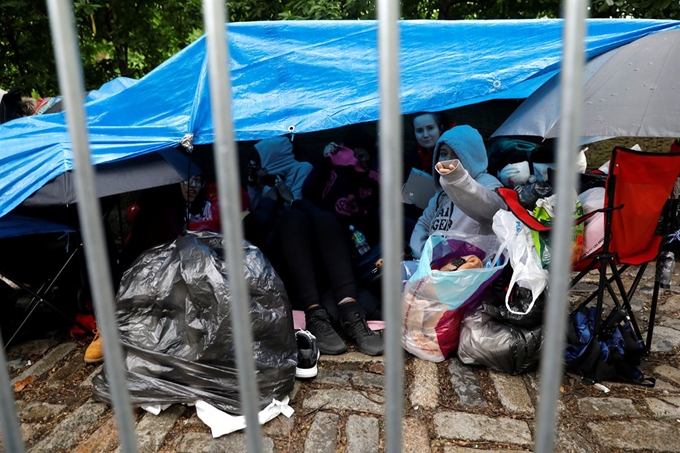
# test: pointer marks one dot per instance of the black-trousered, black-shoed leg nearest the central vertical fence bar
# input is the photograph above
(333, 247)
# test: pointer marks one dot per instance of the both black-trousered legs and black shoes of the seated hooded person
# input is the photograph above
(307, 248)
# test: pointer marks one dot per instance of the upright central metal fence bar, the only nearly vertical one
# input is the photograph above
(391, 223)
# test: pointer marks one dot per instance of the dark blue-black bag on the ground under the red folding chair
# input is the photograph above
(613, 355)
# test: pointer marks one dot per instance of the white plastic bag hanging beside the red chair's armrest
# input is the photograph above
(527, 270)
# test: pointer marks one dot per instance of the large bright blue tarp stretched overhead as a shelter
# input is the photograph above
(312, 75)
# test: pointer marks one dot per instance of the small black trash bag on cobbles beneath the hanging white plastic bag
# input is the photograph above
(504, 347)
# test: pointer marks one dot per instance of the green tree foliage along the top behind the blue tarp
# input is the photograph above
(130, 38)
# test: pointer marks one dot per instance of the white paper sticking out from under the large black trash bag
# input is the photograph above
(221, 423)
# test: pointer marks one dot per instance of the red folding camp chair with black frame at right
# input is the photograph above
(637, 188)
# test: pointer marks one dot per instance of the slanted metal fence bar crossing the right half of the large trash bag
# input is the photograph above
(226, 156)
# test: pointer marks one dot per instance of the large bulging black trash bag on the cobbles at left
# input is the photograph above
(174, 318)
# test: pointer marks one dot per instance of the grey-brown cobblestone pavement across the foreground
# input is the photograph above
(448, 407)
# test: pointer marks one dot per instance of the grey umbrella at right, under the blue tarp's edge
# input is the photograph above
(631, 91)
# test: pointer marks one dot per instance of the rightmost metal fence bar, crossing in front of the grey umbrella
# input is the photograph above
(560, 263)
